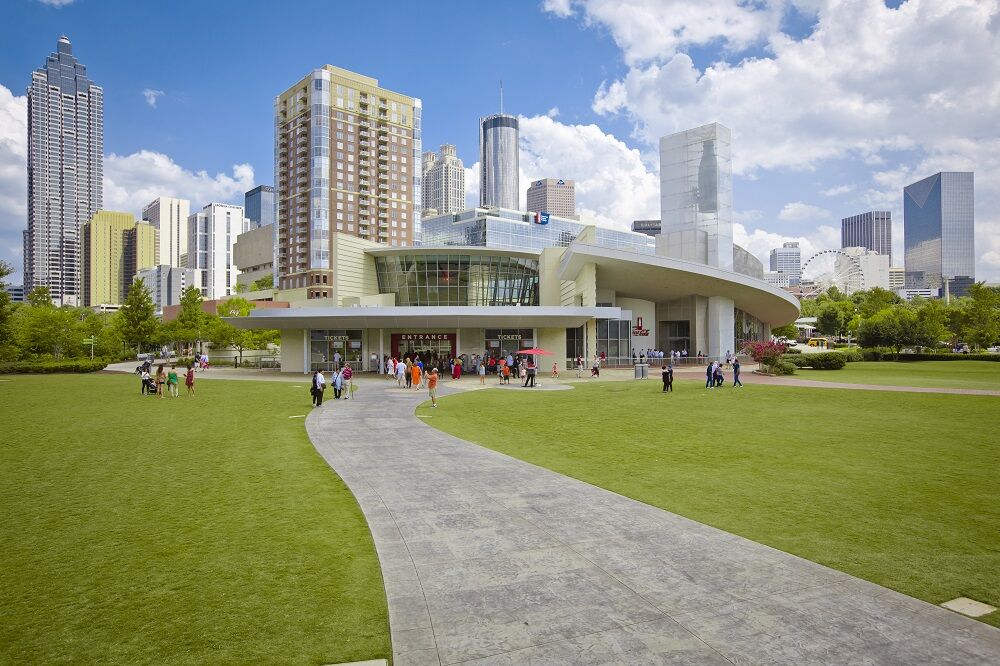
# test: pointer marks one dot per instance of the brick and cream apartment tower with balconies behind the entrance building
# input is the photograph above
(347, 160)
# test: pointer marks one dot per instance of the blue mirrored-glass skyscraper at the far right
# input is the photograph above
(939, 232)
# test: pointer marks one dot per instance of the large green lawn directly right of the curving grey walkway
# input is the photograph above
(897, 488)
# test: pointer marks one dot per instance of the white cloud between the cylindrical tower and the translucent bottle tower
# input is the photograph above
(613, 185)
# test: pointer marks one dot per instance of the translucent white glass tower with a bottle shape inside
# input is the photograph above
(696, 195)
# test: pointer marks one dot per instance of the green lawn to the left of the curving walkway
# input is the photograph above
(200, 530)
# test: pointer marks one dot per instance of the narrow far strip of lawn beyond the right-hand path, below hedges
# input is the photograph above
(936, 374)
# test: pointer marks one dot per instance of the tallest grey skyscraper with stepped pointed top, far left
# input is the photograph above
(65, 172)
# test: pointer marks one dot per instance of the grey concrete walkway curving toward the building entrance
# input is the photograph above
(490, 560)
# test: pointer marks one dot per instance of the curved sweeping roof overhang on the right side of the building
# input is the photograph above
(663, 279)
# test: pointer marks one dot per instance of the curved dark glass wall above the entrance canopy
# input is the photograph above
(458, 280)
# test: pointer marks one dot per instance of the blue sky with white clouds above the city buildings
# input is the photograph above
(834, 105)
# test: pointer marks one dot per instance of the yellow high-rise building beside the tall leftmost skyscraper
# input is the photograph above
(115, 248)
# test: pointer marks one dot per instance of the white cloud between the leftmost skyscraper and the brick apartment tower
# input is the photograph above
(131, 181)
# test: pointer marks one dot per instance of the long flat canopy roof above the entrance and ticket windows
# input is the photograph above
(414, 317)
